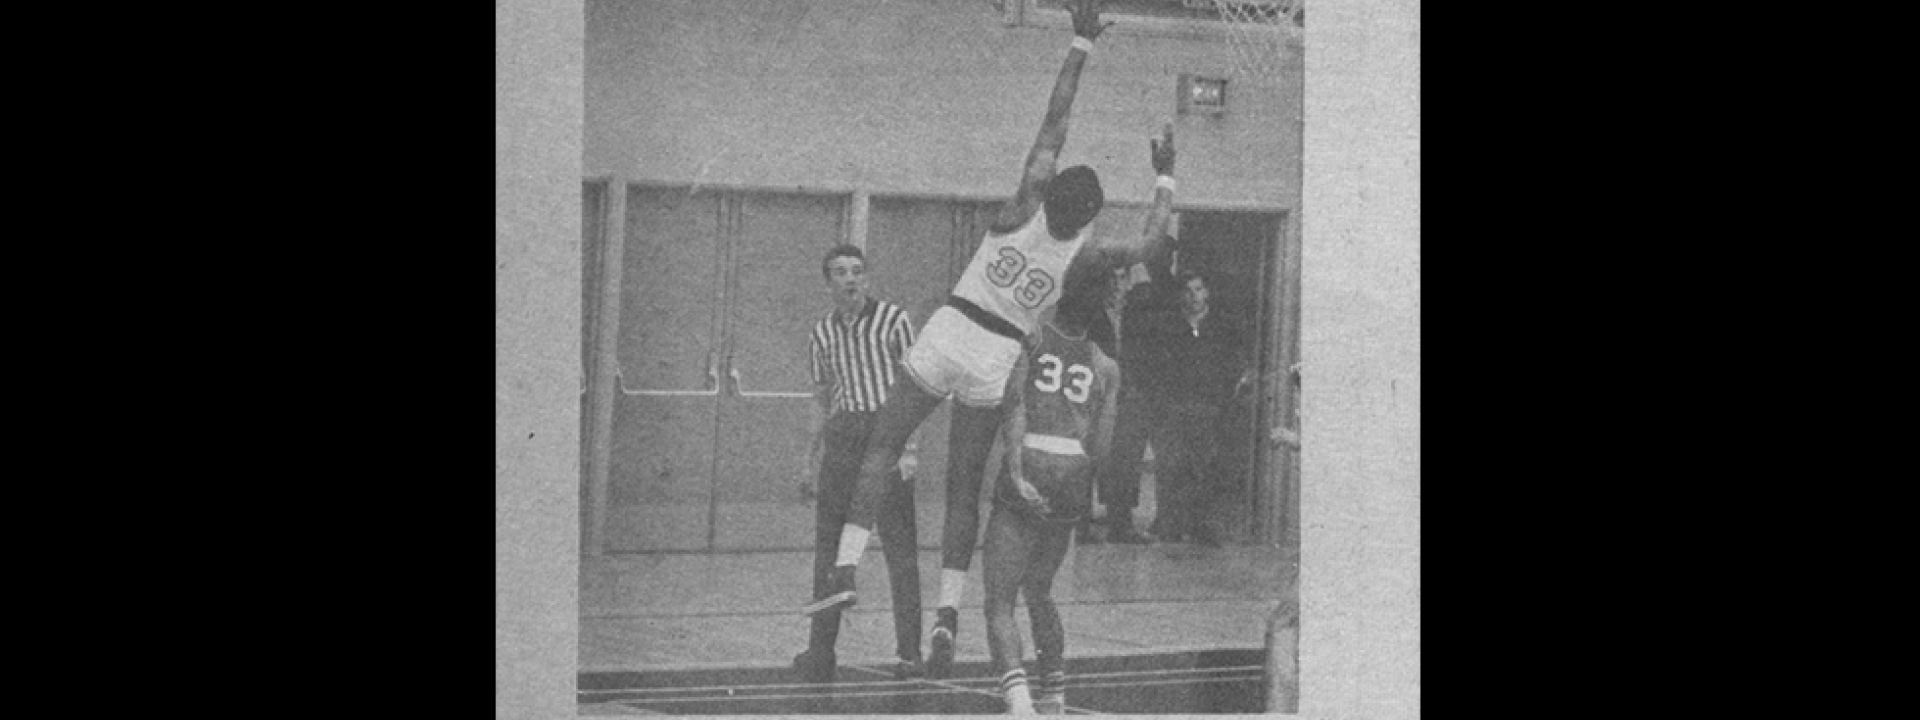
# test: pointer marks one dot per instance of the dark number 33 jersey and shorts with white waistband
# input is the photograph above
(1068, 387)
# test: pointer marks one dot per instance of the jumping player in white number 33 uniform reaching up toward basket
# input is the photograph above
(969, 347)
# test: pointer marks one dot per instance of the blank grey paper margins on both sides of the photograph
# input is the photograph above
(1358, 345)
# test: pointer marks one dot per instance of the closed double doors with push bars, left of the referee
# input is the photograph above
(711, 427)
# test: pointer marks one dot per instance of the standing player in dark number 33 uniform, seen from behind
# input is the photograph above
(1061, 404)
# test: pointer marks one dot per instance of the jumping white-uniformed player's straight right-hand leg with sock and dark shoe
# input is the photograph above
(969, 446)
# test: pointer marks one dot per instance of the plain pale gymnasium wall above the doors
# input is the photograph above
(907, 97)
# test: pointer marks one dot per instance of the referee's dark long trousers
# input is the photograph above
(840, 471)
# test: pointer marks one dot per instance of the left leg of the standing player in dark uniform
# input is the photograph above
(1003, 569)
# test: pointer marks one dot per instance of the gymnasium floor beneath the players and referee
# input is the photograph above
(1151, 629)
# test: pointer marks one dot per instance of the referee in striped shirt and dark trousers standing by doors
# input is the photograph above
(855, 354)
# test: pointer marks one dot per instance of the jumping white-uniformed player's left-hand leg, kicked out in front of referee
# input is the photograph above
(903, 412)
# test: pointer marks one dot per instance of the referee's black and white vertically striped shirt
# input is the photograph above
(861, 358)
